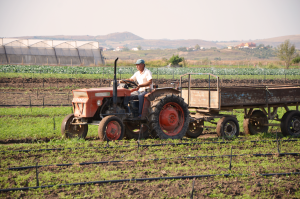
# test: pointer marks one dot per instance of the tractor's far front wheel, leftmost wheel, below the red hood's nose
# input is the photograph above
(72, 131)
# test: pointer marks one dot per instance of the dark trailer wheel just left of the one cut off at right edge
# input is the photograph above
(255, 124)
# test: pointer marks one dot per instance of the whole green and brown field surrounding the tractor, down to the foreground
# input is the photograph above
(27, 131)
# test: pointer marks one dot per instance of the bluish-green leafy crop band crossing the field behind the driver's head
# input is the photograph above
(155, 71)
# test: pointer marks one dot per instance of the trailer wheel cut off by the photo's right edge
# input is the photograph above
(290, 124)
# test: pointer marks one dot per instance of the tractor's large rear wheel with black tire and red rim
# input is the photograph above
(169, 117)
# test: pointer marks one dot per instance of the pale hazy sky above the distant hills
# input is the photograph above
(212, 20)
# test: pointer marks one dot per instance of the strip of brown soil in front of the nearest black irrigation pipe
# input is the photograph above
(203, 188)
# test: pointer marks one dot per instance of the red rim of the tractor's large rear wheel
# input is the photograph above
(171, 118)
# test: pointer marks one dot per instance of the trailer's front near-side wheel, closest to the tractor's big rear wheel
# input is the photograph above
(228, 126)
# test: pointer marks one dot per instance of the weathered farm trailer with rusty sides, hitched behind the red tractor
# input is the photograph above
(260, 104)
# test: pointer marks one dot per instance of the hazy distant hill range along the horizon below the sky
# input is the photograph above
(131, 40)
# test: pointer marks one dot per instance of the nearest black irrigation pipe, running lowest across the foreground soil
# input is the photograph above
(146, 179)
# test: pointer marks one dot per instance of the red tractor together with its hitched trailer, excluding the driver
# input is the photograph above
(172, 113)
